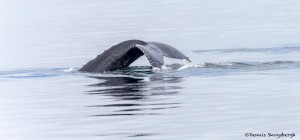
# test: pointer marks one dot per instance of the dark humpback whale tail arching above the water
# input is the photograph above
(123, 54)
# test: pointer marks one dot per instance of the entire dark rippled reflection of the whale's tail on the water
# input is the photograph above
(134, 96)
